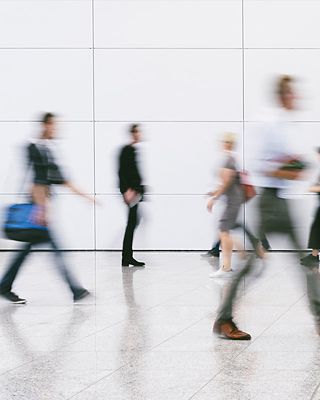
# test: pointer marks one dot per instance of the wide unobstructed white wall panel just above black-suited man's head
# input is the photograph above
(181, 85)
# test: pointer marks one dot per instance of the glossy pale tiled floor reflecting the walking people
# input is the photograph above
(146, 334)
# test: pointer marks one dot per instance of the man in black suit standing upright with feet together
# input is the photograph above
(132, 190)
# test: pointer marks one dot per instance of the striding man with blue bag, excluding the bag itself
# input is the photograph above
(46, 172)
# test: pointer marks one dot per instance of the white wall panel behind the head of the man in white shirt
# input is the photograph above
(262, 67)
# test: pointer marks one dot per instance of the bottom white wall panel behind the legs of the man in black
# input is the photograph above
(168, 222)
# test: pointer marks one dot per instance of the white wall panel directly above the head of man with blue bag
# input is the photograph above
(39, 80)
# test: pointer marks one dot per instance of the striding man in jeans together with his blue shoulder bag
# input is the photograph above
(28, 222)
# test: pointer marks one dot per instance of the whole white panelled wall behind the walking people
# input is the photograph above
(186, 69)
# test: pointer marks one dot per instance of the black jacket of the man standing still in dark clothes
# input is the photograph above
(129, 175)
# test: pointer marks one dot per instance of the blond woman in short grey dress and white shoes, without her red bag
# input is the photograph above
(232, 191)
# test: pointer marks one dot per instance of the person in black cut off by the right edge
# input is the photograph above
(314, 236)
